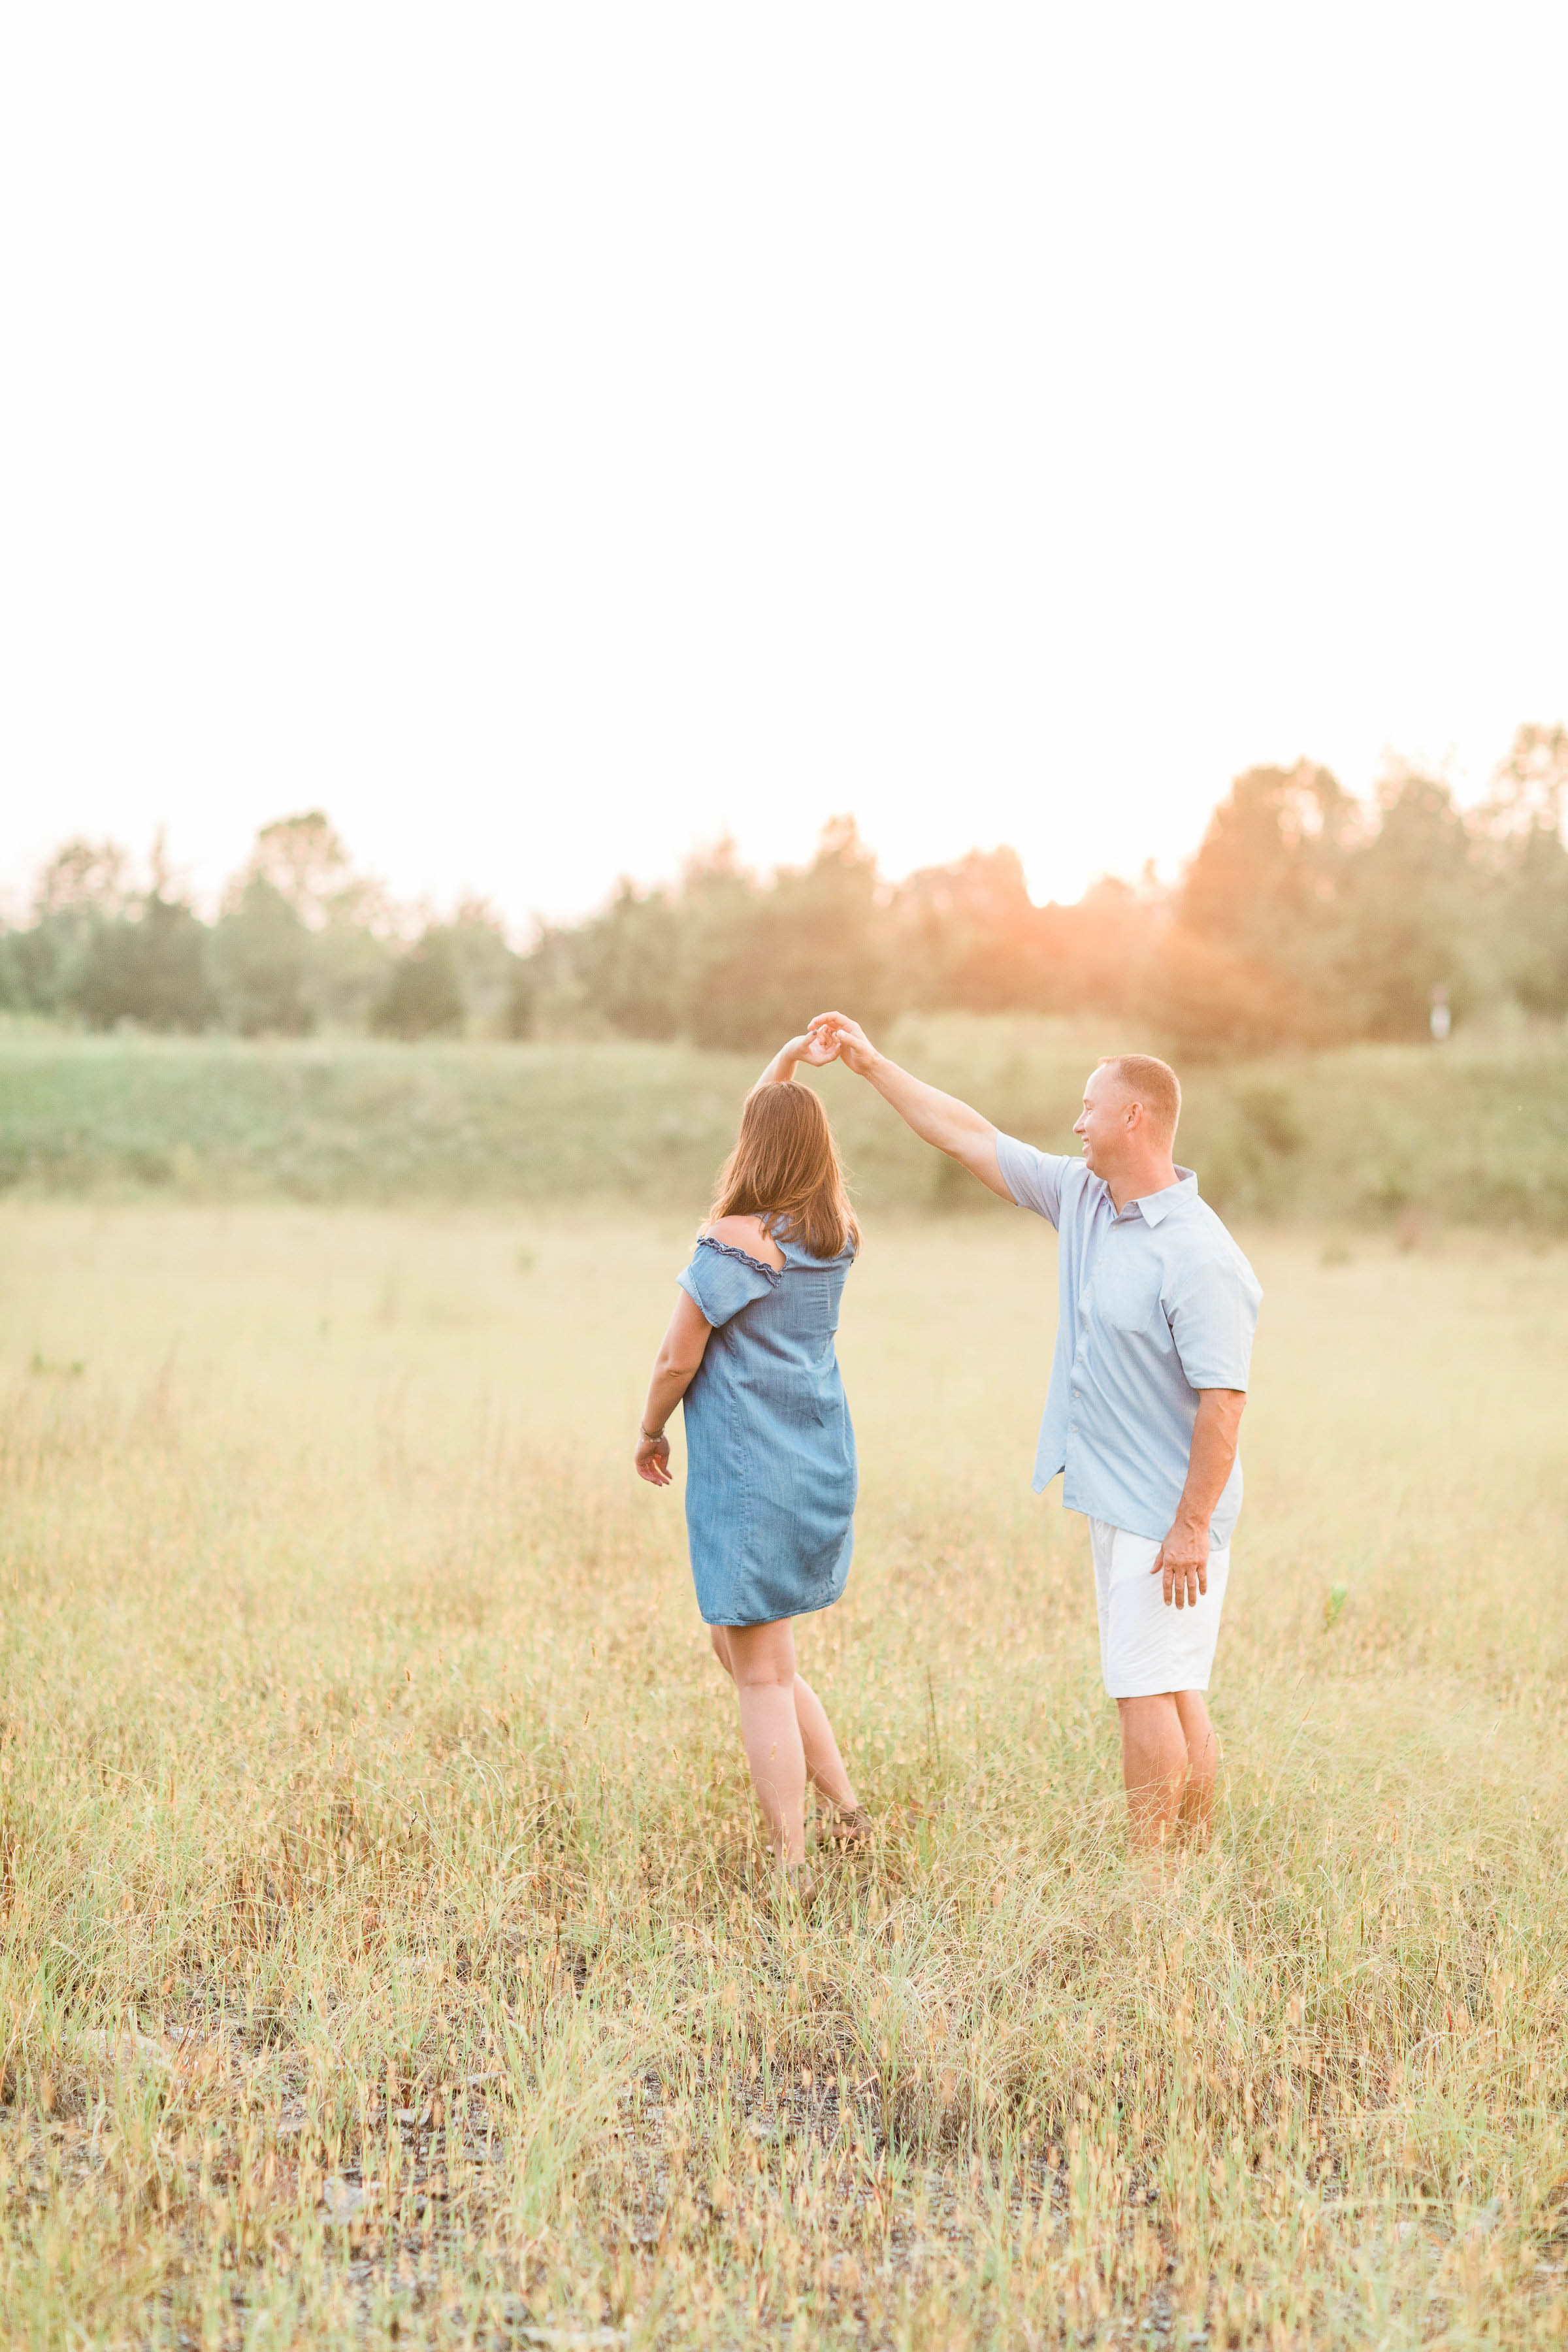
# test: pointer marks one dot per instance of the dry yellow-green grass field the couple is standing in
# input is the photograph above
(384, 1949)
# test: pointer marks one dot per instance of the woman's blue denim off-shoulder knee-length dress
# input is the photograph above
(770, 1450)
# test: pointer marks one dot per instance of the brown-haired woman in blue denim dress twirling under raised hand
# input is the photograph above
(770, 1450)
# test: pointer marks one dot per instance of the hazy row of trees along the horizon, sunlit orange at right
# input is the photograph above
(1306, 918)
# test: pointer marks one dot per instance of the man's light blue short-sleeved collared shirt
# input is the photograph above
(1155, 1304)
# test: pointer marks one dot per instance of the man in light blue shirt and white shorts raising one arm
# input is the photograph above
(1153, 1351)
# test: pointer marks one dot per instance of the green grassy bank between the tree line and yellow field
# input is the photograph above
(1473, 1132)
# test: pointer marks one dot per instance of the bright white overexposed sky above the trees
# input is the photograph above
(549, 436)
